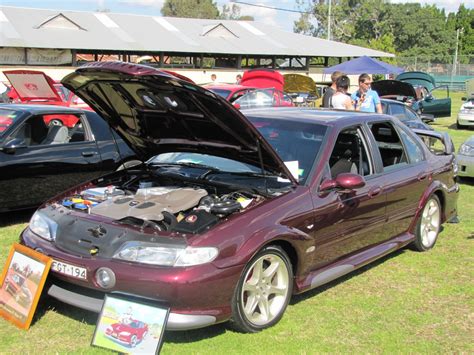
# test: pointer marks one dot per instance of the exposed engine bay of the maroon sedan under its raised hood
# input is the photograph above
(169, 208)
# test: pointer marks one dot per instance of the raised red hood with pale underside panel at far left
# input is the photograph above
(32, 85)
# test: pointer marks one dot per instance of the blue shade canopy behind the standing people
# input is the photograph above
(364, 65)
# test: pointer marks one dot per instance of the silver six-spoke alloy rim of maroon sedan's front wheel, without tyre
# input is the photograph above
(265, 289)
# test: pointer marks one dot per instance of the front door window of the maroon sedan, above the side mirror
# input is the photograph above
(350, 154)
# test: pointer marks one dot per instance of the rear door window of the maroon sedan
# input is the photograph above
(390, 147)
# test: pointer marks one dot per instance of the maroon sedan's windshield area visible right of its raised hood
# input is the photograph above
(297, 143)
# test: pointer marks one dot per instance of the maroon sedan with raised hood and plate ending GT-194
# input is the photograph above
(234, 212)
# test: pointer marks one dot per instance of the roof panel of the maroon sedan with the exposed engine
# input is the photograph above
(329, 117)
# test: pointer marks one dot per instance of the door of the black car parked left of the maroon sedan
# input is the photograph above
(48, 161)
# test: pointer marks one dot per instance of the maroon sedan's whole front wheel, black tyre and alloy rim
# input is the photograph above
(263, 291)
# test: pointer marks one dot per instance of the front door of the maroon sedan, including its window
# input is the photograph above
(347, 222)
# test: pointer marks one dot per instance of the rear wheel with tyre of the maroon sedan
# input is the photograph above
(428, 226)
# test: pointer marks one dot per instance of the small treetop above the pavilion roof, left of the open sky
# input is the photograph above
(190, 9)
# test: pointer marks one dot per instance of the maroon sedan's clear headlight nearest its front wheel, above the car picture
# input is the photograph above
(151, 253)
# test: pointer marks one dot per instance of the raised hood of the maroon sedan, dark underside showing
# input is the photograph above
(157, 112)
